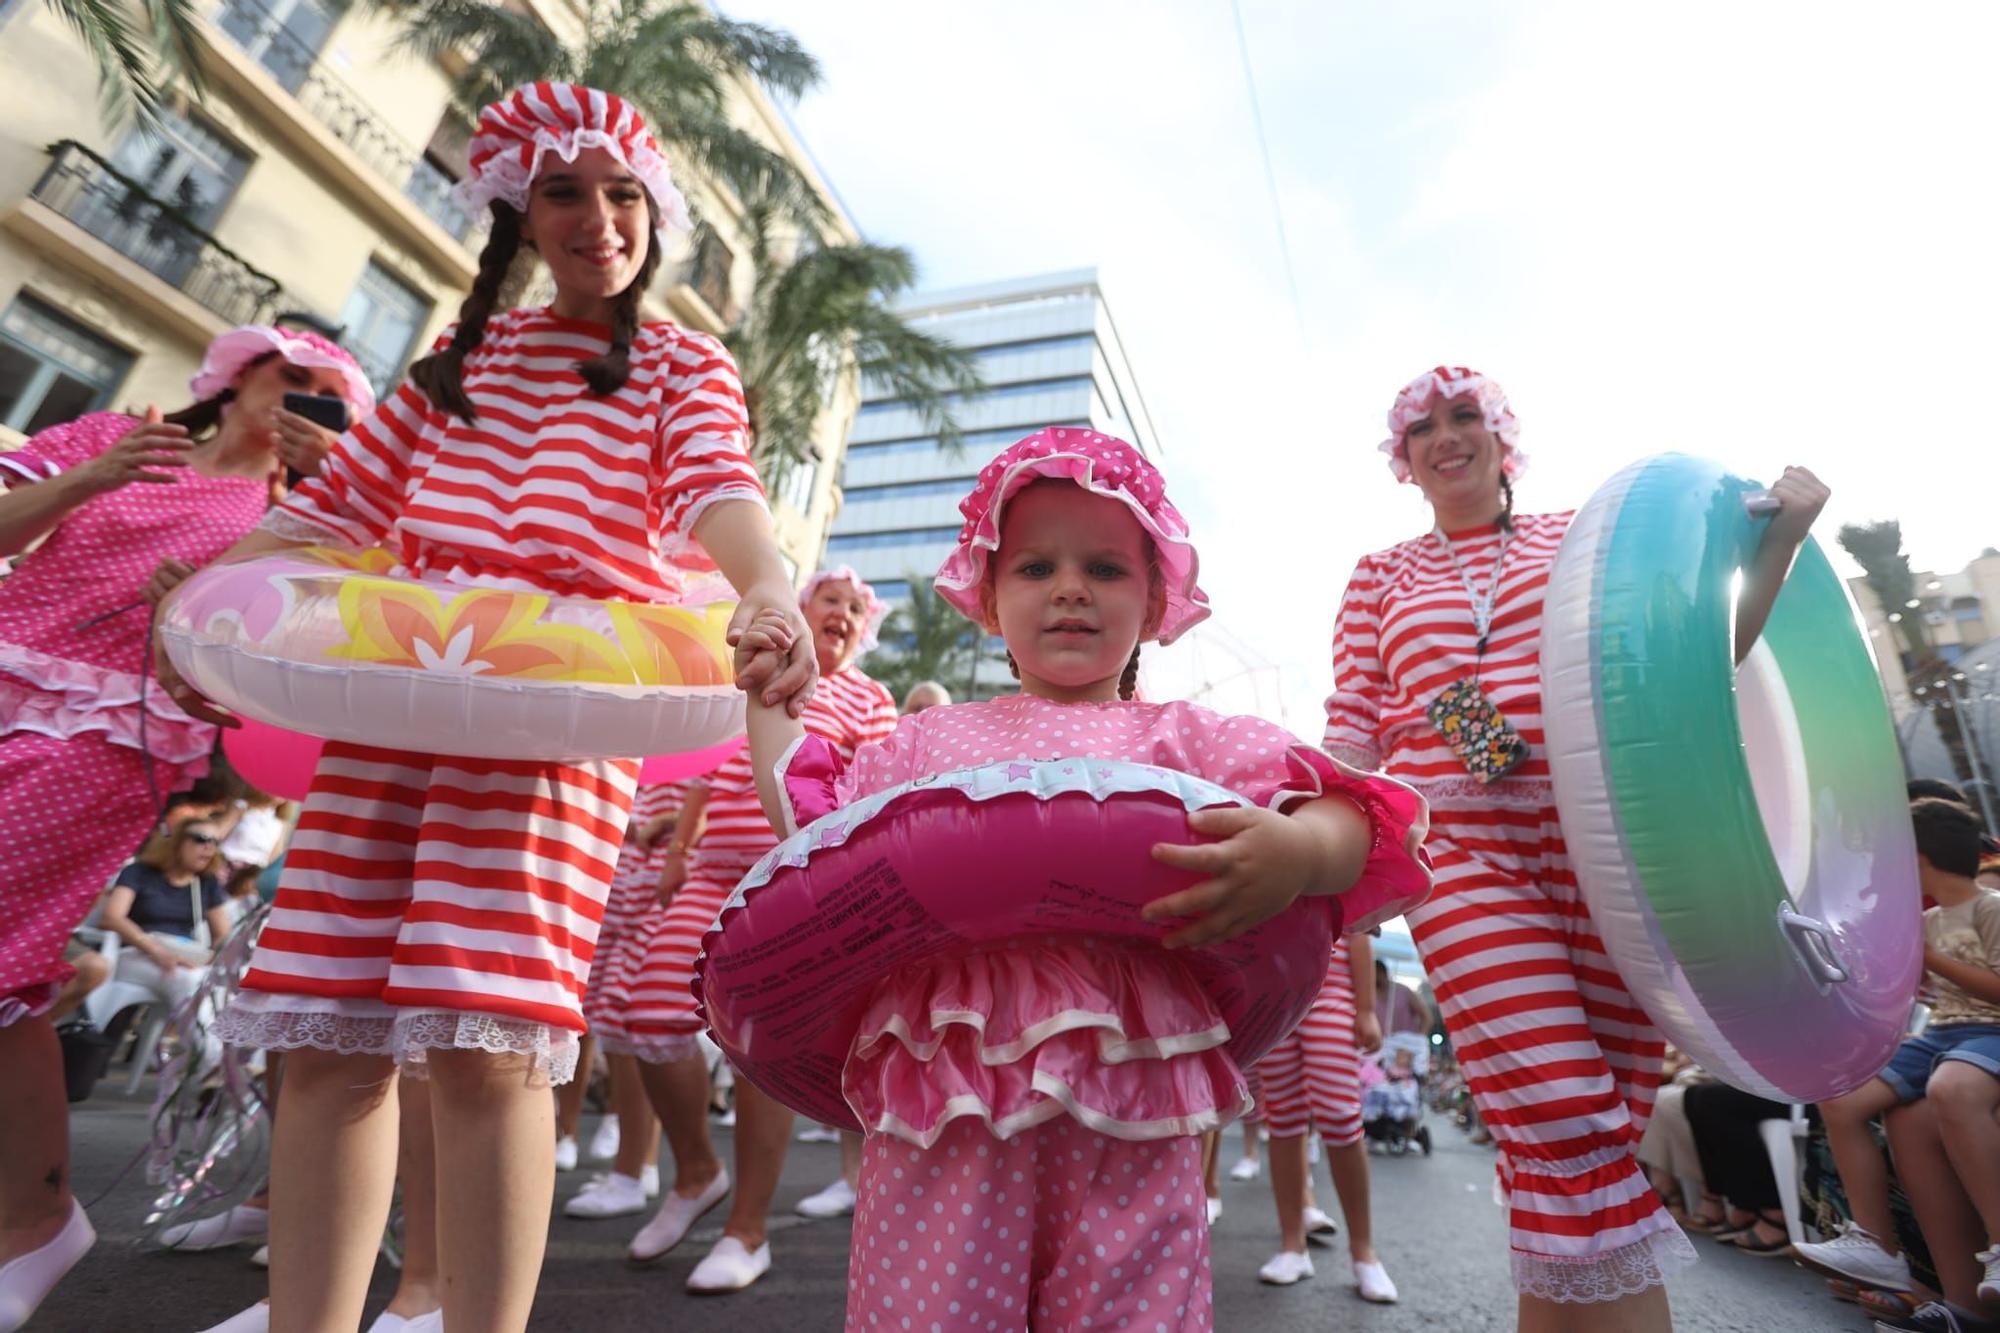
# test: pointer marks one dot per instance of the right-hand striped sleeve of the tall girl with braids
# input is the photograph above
(705, 435)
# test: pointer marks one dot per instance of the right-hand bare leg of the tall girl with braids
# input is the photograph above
(497, 1172)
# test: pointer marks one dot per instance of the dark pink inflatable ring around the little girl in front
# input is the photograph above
(961, 862)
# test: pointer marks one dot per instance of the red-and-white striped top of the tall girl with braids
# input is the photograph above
(553, 485)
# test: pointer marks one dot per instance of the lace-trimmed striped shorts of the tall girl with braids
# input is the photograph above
(433, 904)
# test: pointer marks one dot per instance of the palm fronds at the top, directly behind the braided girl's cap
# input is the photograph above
(673, 59)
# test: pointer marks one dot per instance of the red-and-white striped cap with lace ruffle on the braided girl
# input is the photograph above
(565, 119)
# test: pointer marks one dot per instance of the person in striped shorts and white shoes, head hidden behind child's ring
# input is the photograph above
(1311, 1082)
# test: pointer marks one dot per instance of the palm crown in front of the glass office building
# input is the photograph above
(817, 311)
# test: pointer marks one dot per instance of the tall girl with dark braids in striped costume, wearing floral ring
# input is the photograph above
(443, 914)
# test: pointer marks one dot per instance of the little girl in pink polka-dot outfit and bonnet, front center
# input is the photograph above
(1035, 1112)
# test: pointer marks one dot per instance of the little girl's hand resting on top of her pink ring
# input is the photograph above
(1263, 862)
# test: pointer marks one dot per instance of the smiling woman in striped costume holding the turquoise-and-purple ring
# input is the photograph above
(1563, 1064)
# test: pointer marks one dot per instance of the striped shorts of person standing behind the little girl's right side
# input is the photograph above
(1313, 1078)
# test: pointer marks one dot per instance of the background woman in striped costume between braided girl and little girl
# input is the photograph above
(847, 712)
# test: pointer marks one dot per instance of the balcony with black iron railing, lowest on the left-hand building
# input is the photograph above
(155, 235)
